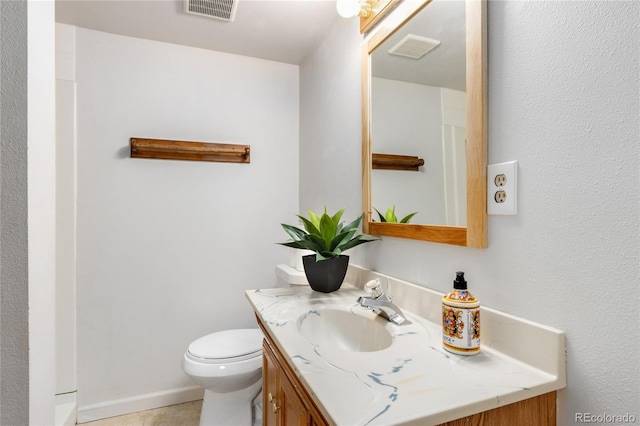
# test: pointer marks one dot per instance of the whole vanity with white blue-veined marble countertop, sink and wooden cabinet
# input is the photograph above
(328, 362)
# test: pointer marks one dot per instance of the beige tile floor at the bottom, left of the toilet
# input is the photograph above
(187, 414)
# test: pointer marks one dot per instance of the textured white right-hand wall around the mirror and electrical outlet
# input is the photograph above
(563, 101)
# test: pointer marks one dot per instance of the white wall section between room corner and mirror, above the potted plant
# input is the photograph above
(329, 134)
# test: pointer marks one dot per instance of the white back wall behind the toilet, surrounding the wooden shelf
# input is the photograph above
(167, 248)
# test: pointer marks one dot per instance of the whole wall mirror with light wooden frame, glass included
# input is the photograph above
(424, 114)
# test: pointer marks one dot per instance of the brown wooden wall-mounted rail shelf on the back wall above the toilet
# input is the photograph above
(193, 151)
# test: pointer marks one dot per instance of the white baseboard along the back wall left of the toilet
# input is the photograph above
(134, 404)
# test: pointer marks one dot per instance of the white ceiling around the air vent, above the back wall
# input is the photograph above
(277, 30)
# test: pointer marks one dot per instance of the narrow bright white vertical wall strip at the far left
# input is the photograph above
(41, 215)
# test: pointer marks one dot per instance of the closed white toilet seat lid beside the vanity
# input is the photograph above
(227, 344)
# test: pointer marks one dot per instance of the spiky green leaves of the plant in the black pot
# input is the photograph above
(326, 235)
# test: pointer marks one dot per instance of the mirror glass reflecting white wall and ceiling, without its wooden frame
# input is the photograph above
(418, 108)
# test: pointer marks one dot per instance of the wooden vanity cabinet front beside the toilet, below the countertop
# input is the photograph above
(285, 401)
